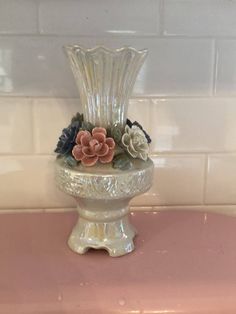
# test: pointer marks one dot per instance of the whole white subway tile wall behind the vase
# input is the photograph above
(184, 95)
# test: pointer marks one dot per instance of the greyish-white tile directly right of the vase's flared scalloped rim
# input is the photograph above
(175, 67)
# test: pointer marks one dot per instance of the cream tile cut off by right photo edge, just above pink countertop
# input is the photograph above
(221, 179)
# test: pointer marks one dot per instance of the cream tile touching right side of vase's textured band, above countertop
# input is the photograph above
(178, 180)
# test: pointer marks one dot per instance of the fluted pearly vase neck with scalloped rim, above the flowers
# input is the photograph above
(105, 79)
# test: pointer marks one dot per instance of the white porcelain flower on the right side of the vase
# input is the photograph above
(135, 142)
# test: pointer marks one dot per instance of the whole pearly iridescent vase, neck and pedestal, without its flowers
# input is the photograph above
(105, 80)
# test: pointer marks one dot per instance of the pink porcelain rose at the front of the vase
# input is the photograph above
(93, 147)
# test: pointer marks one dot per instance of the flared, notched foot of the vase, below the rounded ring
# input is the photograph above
(116, 237)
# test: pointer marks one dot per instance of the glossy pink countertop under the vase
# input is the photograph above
(184, 262)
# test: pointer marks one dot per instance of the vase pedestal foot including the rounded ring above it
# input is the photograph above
(111, 231)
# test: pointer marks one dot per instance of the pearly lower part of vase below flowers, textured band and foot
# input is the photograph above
(103, 194)
